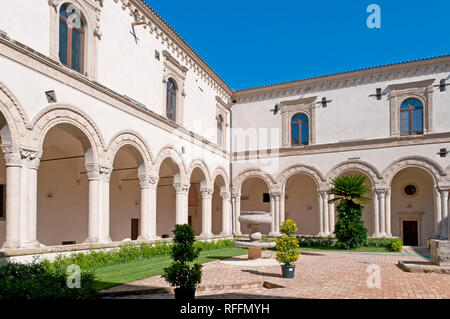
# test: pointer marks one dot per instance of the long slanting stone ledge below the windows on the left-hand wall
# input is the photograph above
(38, 62)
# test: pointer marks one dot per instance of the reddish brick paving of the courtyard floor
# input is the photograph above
(323, 275)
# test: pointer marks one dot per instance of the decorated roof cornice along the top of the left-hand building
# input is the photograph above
(177, 45)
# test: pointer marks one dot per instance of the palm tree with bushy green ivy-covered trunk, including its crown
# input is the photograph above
(349, 193)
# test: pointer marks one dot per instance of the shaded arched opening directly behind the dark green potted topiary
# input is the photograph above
(169, 173)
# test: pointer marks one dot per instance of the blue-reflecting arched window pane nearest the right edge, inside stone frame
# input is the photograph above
(411, 117)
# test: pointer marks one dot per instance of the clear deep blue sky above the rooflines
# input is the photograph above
(253, 43)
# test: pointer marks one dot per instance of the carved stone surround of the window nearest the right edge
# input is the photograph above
(423, 91)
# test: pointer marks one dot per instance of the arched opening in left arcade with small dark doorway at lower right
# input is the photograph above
(125, 194)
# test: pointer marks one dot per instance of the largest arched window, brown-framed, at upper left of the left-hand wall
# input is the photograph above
(71, 37)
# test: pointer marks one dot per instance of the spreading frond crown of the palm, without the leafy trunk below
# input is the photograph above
(350, 188)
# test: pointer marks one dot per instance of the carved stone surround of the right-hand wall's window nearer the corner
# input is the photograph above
(292, 107)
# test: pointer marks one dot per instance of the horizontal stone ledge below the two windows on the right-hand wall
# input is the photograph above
(435, 138)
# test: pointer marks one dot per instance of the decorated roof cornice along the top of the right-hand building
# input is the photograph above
(391, 72)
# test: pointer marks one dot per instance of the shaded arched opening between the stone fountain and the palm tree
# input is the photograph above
(302, 203)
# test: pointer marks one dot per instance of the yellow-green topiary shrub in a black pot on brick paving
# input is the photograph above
(287, 248)
